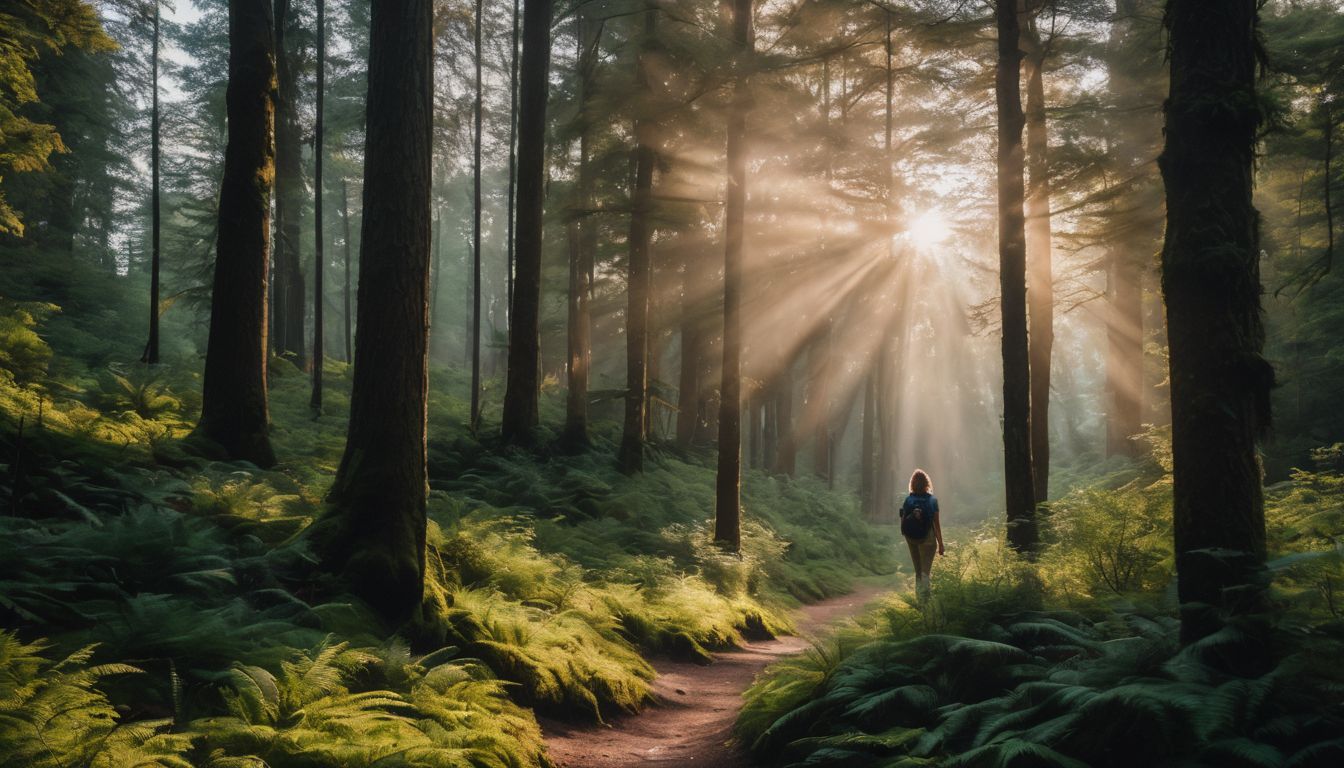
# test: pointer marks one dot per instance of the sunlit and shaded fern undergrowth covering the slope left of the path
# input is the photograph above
(162, 610)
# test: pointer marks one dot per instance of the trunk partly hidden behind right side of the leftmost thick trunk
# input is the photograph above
(290, 194)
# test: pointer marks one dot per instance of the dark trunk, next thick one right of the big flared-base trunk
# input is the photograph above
(525, 367)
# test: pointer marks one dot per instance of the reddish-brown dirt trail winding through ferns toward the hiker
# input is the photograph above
(693, 722)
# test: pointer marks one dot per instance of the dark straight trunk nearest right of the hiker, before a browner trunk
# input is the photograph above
(1019, 479)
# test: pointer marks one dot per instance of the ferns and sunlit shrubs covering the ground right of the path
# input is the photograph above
(1076, 661)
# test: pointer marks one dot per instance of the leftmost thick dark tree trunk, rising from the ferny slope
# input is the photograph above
(235, 408)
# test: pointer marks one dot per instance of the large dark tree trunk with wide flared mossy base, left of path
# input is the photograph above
(374, 529)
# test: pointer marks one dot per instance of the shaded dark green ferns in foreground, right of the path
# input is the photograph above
(1046, 689)
